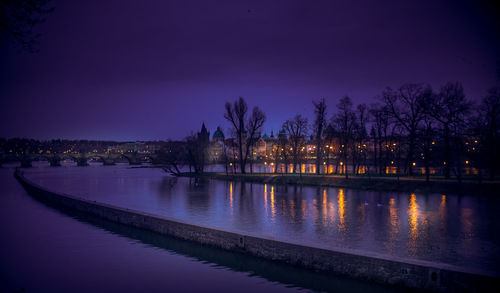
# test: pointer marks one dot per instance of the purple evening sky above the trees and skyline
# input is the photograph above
(152, 70)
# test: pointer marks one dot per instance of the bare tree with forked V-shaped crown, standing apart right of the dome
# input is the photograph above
(246, 130)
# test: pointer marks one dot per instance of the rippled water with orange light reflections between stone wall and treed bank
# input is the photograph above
(458, 230)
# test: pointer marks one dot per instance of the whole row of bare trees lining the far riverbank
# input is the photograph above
(404, 130)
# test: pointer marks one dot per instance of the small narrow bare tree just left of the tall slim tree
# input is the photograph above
(296, 129)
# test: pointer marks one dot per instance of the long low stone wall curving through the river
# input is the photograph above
(360, 265)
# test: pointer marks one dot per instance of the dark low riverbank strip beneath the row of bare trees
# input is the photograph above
(391, 184)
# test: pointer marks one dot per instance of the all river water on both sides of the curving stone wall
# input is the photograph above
(446, 228)
